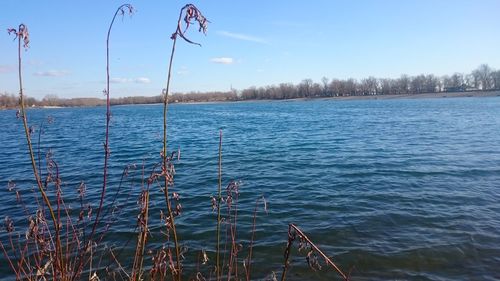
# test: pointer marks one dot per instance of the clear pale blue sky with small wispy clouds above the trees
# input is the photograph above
(249, 43)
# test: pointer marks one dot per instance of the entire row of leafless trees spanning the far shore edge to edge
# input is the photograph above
(483, 78)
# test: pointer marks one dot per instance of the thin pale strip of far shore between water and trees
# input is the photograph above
(476, 94)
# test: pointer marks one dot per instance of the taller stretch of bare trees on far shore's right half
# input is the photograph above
(484, 78)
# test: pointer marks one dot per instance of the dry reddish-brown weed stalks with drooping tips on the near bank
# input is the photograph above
(49, 239)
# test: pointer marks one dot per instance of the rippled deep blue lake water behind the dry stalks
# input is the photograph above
(398, 189)
